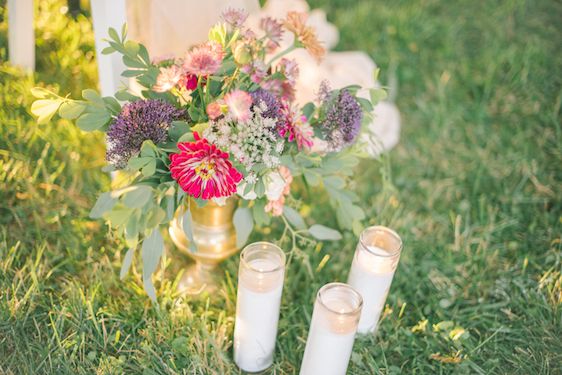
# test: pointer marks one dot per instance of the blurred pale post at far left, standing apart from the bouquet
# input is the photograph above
(21, 38)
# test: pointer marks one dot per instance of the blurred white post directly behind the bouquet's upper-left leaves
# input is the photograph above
(106, 14)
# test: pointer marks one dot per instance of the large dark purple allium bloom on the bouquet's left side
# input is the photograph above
(138, 121)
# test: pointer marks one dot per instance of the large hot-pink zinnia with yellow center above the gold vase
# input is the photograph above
(203, 170)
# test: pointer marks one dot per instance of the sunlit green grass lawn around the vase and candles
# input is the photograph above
(476, 194)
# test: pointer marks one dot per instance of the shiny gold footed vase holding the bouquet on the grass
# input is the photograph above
(214, 238)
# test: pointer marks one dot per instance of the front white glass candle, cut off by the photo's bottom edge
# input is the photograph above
(332, 330)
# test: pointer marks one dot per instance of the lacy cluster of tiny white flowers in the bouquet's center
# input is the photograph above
(251, 142)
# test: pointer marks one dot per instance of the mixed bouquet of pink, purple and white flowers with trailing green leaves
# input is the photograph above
(219, 122)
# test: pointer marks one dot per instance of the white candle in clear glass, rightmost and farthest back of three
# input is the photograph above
(372, 271)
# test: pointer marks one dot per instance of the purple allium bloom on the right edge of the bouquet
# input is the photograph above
(342, 121)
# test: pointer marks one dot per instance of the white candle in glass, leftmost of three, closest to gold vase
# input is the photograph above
(260, 285)
